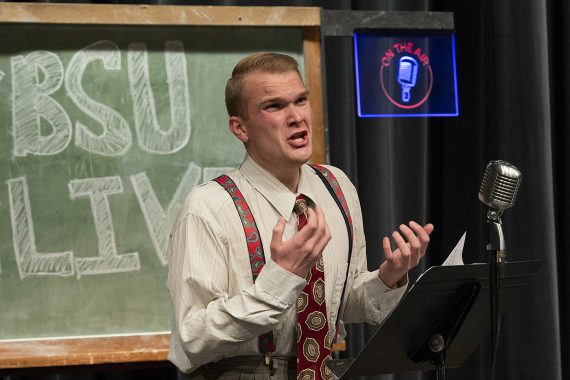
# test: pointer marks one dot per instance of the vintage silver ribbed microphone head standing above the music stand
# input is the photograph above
(498, 191)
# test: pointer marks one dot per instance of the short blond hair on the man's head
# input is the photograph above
(236, 103)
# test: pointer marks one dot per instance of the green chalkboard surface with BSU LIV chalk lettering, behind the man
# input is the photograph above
(103, 131)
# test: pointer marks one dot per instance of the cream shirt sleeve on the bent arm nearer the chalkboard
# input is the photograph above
(207, 322)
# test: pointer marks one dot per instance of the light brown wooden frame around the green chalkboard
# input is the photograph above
(154, 347)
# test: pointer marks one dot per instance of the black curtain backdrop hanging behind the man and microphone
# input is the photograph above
(513, 60)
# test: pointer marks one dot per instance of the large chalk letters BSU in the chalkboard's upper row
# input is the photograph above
(39, 74)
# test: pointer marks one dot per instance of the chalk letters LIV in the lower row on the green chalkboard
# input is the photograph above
(159, 220)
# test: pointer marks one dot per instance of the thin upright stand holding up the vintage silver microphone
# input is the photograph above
(497, 256)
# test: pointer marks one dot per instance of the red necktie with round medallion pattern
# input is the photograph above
(313, 340)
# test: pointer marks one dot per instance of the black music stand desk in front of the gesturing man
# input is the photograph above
(439, 322)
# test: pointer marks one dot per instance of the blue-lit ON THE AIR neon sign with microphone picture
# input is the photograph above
(405, 76)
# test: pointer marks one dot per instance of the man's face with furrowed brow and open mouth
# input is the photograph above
(278, 128)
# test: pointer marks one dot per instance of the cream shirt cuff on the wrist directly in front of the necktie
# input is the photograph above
(280, 283)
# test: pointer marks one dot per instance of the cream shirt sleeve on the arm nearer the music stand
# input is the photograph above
(368, 299)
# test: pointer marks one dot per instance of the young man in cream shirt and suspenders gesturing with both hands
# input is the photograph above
(220, 312)
